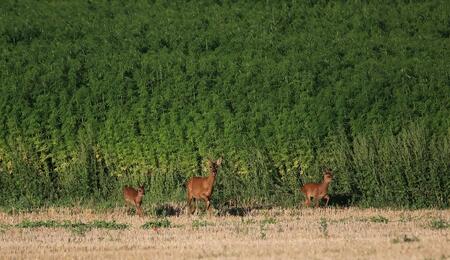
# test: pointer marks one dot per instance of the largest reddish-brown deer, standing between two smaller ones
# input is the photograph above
(202, 187)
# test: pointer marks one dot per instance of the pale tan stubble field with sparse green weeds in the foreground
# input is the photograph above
(330, 233)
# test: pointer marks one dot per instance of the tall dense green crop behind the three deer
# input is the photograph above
(98, 94)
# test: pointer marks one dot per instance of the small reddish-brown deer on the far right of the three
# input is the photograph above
(318, 190)
